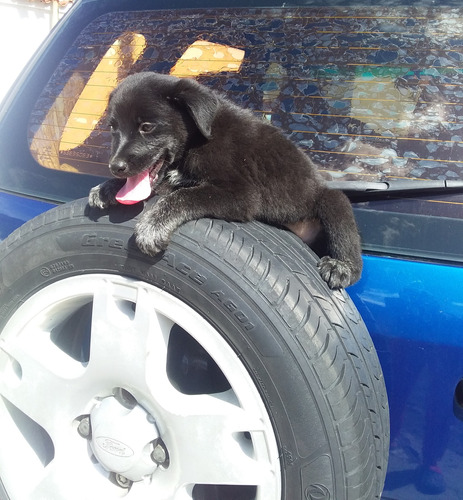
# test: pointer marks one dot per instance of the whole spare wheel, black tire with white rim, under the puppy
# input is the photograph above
(222, 369)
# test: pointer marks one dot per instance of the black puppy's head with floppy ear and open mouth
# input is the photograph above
(154, 118)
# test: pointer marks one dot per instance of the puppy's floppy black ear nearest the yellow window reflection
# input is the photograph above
(200, 103)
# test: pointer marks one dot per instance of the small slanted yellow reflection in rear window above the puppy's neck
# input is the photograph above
(203, 57)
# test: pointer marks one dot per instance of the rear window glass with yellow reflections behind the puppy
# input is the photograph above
(370, 95)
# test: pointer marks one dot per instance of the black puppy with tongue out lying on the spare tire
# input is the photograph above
(206, 157)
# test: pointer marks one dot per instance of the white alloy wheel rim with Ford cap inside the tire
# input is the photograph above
(99, 399)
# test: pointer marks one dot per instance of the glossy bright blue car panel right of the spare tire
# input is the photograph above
(414, 312)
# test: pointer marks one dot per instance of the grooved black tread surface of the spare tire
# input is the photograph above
(298, 295)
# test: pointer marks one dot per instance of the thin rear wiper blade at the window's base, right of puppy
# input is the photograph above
(396, 186)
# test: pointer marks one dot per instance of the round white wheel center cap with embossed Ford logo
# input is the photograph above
(122, 439)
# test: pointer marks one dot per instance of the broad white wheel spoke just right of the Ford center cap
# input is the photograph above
(212, 447)
